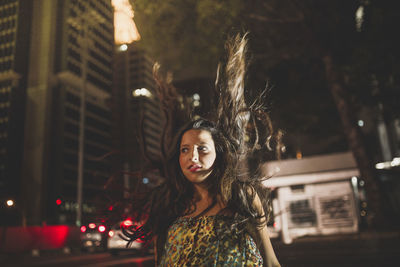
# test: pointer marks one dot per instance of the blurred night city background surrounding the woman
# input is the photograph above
(79, 118)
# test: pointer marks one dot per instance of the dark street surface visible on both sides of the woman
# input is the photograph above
(355, 250)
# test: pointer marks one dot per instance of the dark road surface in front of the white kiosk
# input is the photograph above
(356, 250)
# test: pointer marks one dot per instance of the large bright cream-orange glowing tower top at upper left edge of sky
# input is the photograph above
(125, 28)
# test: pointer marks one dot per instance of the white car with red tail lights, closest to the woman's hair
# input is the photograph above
(116, 244)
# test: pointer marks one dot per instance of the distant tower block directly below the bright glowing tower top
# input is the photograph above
(138, 107)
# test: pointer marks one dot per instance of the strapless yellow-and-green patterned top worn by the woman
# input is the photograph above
(208, 241)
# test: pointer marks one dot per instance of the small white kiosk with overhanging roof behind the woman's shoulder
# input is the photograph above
(314, 196)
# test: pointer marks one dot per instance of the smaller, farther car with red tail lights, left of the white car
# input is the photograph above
(93, 236)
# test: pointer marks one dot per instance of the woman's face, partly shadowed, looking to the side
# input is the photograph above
(197, 155)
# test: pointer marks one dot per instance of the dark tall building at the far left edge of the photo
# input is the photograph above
(14, 35)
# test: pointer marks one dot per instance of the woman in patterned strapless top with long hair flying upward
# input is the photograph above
(209, 211)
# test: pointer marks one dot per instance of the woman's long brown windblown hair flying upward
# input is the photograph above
(237, 130)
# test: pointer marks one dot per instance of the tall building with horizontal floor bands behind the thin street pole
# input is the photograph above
(85, 48)
